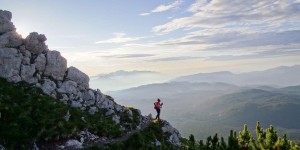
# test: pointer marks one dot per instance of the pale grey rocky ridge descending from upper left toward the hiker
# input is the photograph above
(31, 61)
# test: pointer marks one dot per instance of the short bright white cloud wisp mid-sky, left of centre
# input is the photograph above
(119, 38)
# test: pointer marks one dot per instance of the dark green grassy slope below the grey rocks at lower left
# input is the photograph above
(27, 115)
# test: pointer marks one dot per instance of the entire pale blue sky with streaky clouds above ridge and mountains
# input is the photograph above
(174, 37)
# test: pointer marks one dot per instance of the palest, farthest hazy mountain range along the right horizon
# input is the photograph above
(279, 76)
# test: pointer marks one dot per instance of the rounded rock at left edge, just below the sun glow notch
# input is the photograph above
(11, 39)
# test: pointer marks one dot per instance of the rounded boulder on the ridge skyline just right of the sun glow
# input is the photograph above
(35, 43)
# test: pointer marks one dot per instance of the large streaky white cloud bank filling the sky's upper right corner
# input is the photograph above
(233, 13)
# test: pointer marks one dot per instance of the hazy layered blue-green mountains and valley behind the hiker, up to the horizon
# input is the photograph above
(207, 103)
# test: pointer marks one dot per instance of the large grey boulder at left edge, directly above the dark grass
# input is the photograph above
(10, 62)
